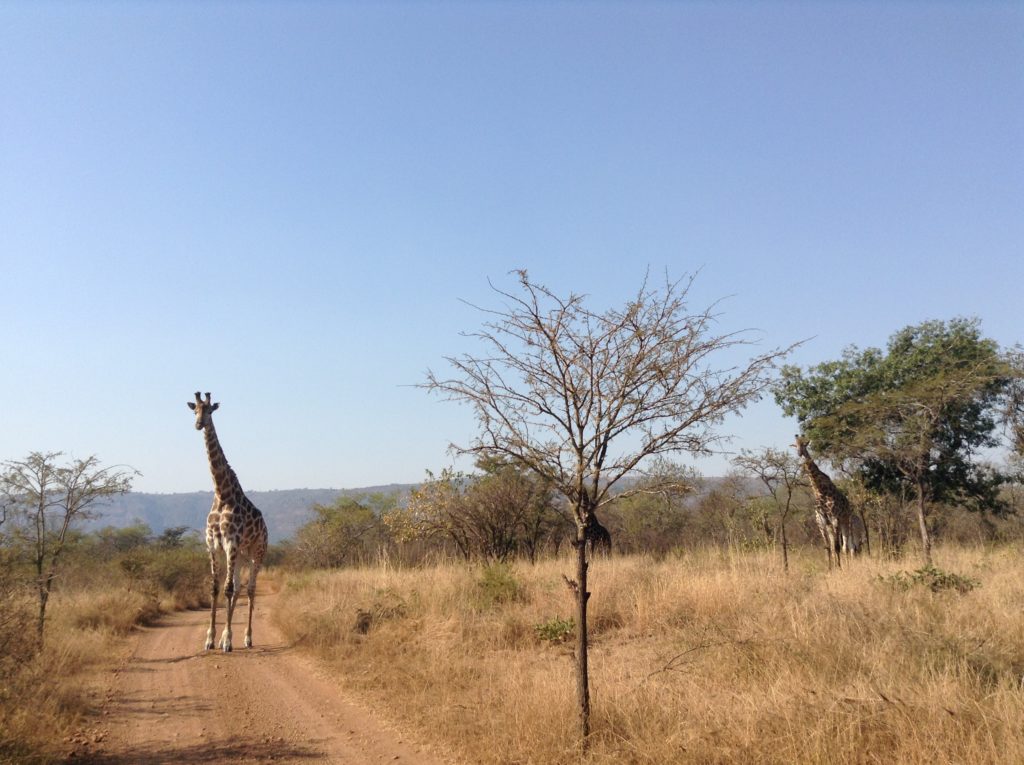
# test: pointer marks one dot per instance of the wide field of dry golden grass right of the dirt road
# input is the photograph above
(705, 659)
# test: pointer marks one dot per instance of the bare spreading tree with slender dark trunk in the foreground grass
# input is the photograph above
(583, 398)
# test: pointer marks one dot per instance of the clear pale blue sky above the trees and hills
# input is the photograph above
(286, 204)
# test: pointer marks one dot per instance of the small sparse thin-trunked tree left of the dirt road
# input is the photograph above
(48, 499)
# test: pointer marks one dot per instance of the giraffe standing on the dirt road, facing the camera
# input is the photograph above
(234, 526)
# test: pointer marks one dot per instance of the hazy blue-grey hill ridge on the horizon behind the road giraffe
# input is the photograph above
(285, 511)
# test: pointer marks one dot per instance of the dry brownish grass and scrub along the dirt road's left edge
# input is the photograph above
(45, 693)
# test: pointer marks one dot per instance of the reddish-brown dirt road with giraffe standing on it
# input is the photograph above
(170, 702)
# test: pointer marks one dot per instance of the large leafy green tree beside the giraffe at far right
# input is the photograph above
(913, 418)
